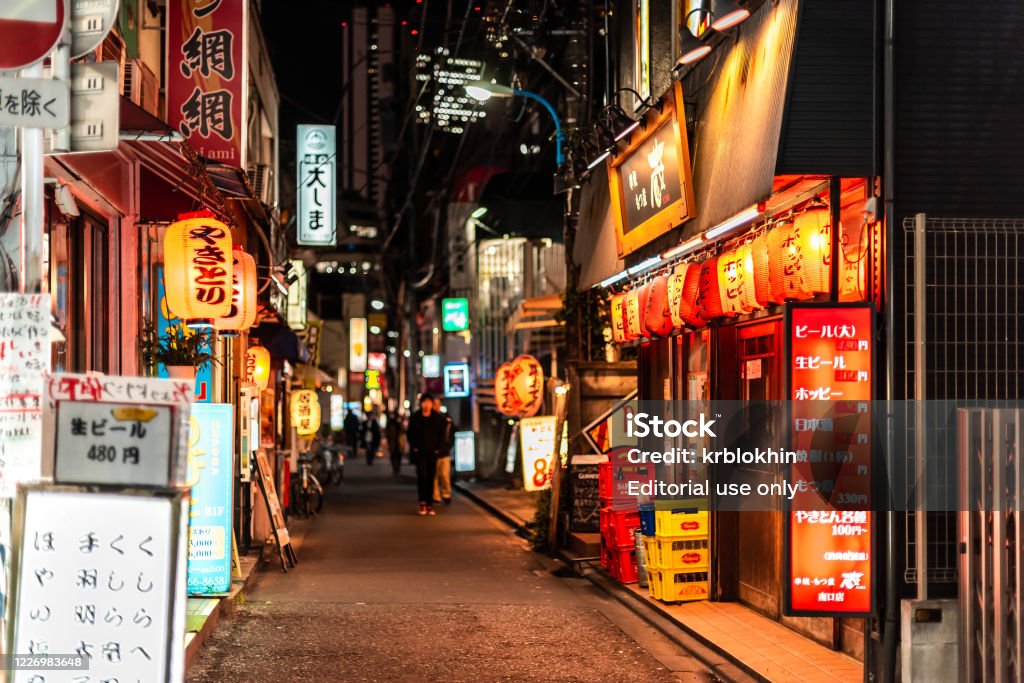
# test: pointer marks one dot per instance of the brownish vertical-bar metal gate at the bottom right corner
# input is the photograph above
(992, 483)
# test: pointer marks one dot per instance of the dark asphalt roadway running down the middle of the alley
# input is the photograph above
(382, 594)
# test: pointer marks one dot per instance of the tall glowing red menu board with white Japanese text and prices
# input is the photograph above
(830, 524)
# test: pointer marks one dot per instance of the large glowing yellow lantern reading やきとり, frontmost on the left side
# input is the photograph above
(198, 271)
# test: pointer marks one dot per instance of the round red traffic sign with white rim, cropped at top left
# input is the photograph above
(30, 31)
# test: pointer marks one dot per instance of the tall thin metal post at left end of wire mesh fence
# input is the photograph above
(920, 388)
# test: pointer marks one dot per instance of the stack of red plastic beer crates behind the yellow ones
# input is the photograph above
(620, 519)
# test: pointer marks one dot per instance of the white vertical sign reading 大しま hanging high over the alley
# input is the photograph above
(316, 163)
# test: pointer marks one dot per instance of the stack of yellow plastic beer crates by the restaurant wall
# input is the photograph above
(678, 554)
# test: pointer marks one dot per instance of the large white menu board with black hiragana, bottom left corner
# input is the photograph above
(98, 577)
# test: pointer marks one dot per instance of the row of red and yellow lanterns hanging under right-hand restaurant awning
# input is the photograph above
(792, 262)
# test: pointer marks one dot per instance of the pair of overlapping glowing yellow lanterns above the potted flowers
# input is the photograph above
(210, 283)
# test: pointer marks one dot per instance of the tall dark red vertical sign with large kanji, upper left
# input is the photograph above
(207, 75)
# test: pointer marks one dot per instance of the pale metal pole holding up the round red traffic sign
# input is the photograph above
(32, 202)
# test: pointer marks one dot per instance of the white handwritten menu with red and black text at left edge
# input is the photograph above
(25, 358)
